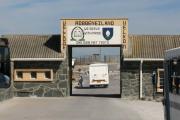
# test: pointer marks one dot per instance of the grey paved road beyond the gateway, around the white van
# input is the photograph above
(113, 88)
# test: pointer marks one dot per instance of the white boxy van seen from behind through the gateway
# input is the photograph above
(98, 75)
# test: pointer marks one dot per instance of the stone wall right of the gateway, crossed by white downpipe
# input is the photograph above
(130, 79)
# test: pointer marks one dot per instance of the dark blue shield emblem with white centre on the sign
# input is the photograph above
(107, 33)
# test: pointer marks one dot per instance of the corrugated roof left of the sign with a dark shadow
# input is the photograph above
(34, 46)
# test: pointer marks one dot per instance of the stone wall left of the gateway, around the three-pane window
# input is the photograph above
(56, 88)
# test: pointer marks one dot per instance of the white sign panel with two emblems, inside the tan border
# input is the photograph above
(94, 35)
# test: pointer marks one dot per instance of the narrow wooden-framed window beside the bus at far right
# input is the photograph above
(160, 80)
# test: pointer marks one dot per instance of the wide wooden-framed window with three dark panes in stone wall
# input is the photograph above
(33, 75)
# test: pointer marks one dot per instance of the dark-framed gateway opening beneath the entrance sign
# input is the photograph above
(82, 57)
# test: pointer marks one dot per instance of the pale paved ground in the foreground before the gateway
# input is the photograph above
(79, 108)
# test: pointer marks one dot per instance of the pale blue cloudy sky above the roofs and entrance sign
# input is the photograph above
(43, 16)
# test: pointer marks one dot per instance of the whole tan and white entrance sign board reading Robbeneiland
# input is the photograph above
(94, 32)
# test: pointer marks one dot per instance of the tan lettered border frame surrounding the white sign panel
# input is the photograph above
(100, 22)
